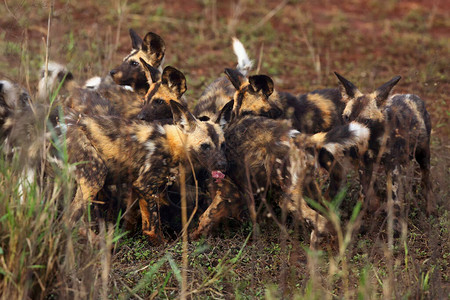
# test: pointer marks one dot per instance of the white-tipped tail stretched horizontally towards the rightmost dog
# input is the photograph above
(341, 138)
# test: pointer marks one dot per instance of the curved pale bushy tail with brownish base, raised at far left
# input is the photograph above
(56, 74)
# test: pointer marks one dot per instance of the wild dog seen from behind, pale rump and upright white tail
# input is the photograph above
(220, 91)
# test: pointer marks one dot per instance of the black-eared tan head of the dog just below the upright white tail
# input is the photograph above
(252, 95)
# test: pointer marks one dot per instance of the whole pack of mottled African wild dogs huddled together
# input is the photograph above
(243, 144)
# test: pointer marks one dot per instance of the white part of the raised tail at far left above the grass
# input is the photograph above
(48, 85)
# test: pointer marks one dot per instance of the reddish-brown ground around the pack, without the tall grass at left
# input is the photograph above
(299, 44)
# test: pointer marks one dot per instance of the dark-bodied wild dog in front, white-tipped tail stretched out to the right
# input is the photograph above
(271, 153)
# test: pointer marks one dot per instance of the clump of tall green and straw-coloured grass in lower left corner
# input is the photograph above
(40, 256)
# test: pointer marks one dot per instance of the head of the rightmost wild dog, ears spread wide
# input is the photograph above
(364, 108)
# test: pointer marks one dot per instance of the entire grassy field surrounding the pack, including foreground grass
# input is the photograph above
(299, 44)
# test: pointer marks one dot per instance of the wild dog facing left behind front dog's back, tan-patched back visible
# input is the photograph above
(310, 113)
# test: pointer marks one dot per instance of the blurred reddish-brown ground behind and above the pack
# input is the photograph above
(298, 43)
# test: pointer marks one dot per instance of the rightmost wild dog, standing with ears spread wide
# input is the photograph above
(400, 129)
